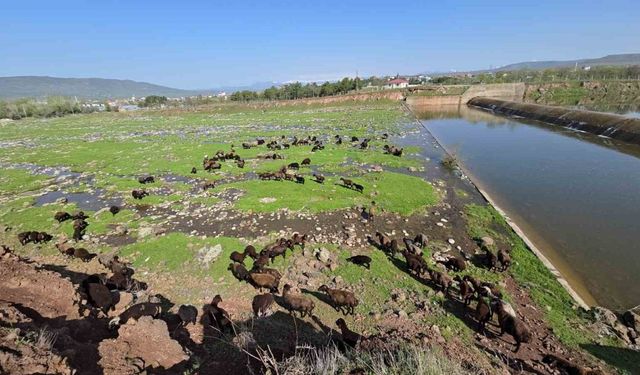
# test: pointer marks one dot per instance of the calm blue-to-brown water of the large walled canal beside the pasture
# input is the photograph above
(576, 195)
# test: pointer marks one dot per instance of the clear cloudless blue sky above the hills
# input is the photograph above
(205, 44)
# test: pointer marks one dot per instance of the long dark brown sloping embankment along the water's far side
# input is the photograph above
(603, 124)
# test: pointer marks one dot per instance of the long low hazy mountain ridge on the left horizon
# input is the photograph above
(100, 88)
